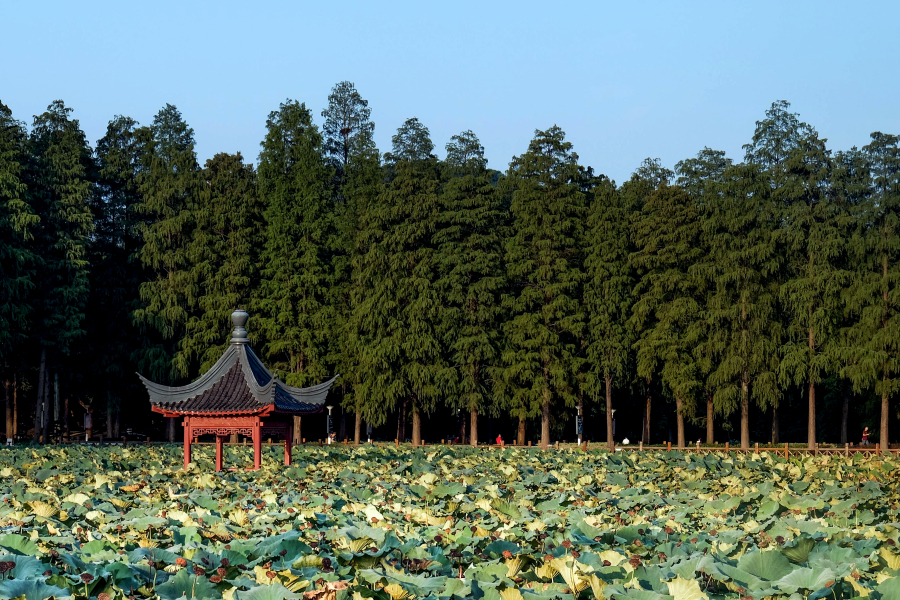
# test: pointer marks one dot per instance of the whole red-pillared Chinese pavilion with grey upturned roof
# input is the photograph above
(237, 395)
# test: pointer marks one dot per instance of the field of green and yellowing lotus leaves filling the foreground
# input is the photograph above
(440, 522)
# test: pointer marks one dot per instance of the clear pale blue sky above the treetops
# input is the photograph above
(625, 80)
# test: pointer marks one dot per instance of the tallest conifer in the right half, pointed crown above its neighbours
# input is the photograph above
(798, 166)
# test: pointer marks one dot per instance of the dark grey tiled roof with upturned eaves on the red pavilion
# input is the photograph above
(239, 383)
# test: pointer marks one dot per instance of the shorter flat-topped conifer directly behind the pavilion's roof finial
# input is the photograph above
(225, 254)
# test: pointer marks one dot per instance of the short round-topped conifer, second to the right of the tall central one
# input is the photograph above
(668, 311)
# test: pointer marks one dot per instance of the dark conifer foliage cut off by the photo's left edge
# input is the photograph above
(18, 222)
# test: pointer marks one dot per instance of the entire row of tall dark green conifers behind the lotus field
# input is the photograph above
(431, 285)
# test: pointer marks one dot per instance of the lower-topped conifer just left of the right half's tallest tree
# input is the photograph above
(743, 325)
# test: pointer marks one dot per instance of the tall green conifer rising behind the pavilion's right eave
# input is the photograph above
(294, 315)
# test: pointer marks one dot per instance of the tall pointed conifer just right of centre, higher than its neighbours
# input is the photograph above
(544, 265)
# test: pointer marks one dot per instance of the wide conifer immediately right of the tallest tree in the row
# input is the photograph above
(396, 331)
